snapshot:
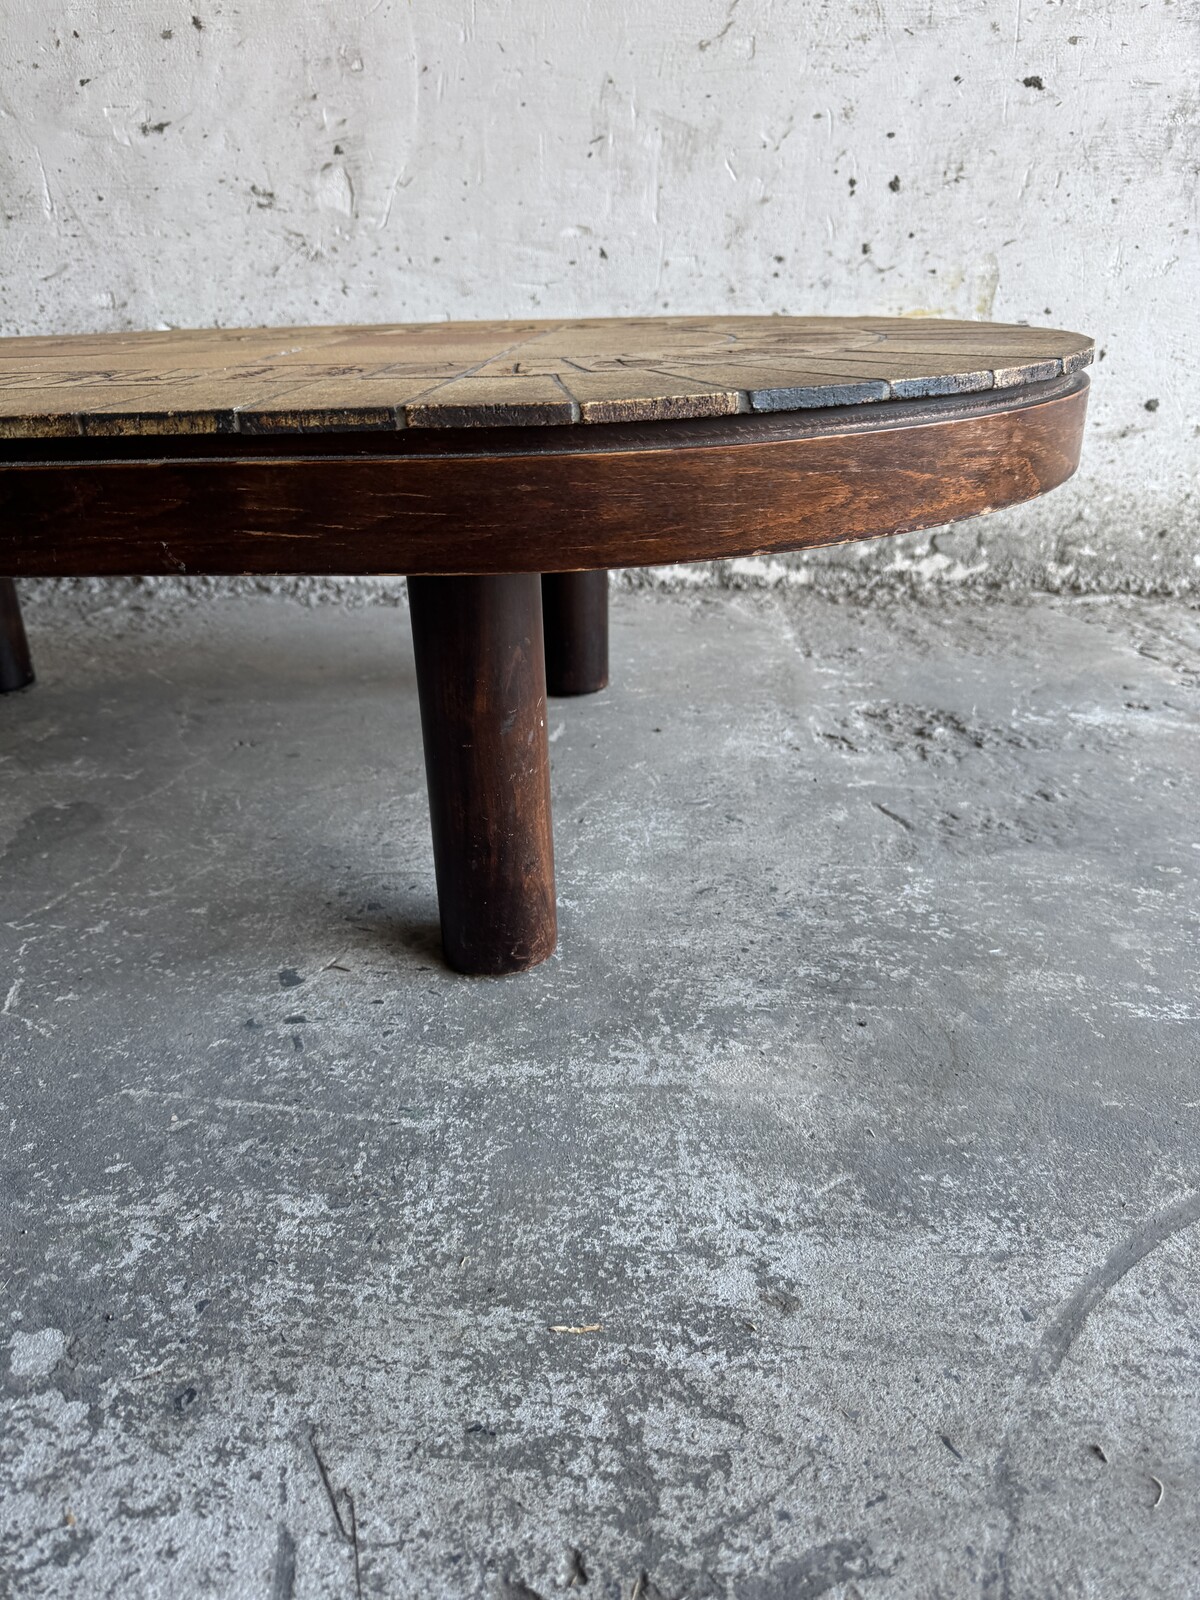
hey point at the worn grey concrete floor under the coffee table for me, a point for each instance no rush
(854, 1135)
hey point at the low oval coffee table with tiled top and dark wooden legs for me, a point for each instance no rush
(503, 468)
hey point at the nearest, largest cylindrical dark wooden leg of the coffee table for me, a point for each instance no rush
(482, 686)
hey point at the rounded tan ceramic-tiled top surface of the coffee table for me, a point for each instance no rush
(505, 374)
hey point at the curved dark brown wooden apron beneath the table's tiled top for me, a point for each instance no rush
(551, 500)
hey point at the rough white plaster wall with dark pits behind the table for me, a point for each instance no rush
(426, 159)
